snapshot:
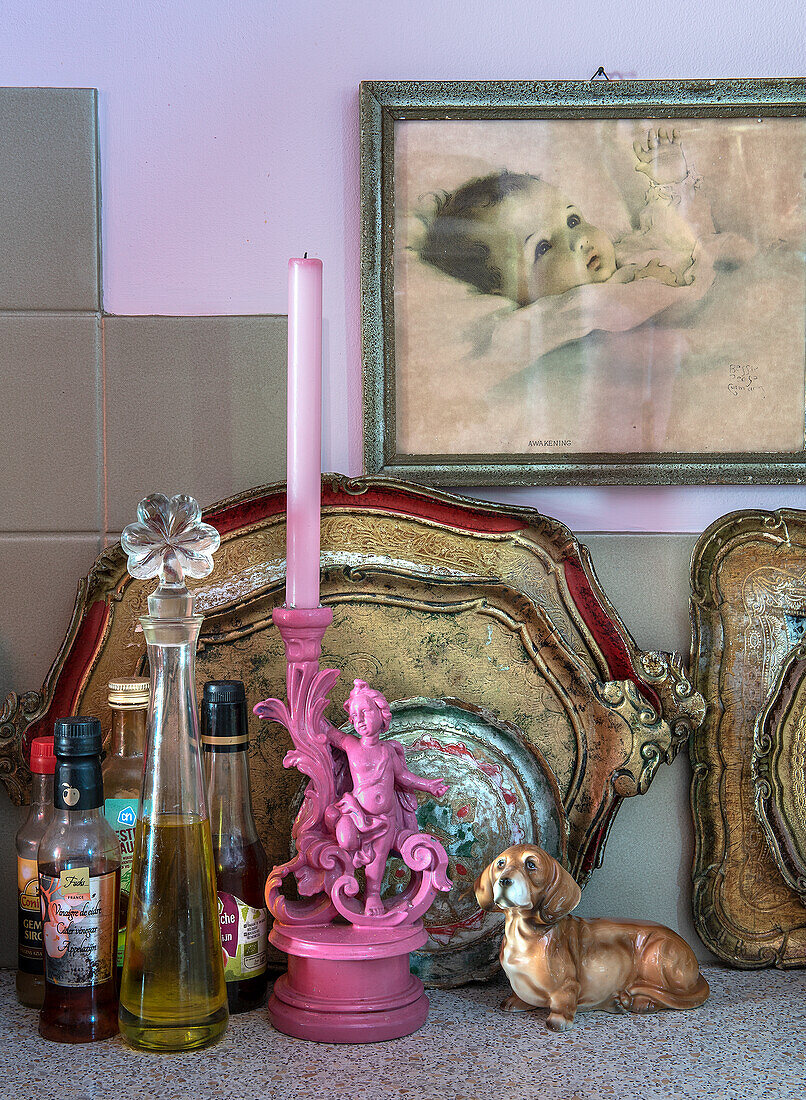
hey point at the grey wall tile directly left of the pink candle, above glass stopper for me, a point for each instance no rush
(194, 405)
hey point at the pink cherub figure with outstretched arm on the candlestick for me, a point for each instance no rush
(380, 813)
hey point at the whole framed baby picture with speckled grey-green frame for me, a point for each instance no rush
(598, 283)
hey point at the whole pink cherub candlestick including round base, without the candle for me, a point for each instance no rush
(349, 978)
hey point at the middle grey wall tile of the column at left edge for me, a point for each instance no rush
(50, 423)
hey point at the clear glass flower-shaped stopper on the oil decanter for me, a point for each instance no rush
(170, 542)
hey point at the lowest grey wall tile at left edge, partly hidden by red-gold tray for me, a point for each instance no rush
(39, 579)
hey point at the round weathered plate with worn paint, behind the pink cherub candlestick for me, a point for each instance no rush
(502, 793)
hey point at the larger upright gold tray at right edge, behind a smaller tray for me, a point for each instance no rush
(748, 612)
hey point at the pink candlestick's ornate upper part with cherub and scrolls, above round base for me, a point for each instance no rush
(360, 805)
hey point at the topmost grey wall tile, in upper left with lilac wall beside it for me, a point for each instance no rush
(49, 200)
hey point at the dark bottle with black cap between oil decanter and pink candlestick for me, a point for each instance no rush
(241, 863)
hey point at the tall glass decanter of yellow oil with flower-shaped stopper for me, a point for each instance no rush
(173, 994)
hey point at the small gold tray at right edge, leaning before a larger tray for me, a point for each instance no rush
(780, 771)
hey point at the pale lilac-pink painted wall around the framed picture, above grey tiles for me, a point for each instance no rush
(229, 142)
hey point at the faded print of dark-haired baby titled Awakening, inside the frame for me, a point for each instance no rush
(601, 288)
